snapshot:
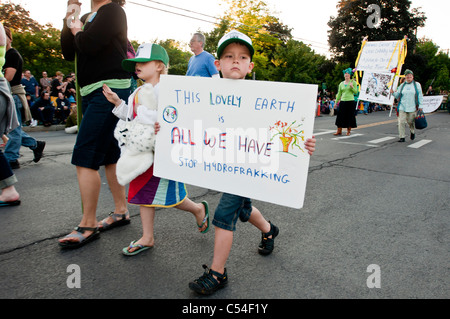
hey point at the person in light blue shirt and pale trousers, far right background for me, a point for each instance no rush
(410, 99)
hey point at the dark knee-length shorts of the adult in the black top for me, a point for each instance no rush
(96, 145)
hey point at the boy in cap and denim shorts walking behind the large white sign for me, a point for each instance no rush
(235, 54)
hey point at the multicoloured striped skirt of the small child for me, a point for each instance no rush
(152, 191)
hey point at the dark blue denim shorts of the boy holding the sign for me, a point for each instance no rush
(230, 208)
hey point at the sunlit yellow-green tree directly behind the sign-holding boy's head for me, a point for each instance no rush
(277, 56)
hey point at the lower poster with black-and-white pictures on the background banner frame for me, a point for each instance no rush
(375, 88)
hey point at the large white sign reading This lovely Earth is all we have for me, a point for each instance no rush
(236, 136)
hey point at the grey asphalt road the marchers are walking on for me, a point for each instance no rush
(375, 225)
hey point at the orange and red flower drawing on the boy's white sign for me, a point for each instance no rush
(290, 135)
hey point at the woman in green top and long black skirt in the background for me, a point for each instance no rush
(347, 104)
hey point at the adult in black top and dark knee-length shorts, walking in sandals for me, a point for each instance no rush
(99, 41)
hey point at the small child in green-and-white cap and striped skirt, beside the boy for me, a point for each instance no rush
(145, 189)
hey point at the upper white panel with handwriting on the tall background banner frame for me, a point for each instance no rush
(380, 56)
